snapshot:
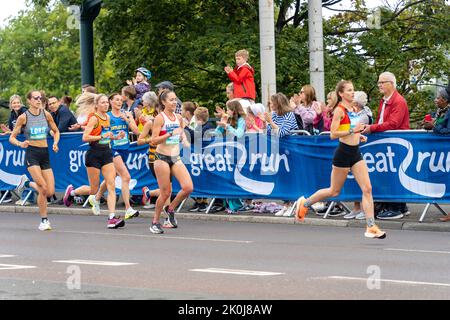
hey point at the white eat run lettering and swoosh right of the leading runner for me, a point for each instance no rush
(426, 161)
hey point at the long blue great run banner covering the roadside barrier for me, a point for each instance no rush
(403, 166)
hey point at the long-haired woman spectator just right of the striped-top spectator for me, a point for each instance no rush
(305, 106)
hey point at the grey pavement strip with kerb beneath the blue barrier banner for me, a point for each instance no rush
(431, 221)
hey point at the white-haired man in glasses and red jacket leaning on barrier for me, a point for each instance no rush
(393, 114)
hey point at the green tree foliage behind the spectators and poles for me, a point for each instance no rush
(190, 42)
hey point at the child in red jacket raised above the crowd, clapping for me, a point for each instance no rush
(242, 77)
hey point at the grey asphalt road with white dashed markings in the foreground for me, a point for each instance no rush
(81, 259)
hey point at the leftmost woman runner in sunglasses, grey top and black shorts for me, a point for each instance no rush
(36, 123)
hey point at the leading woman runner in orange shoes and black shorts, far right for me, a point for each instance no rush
(347, 128)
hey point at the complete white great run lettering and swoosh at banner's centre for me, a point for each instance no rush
(221, 157)
